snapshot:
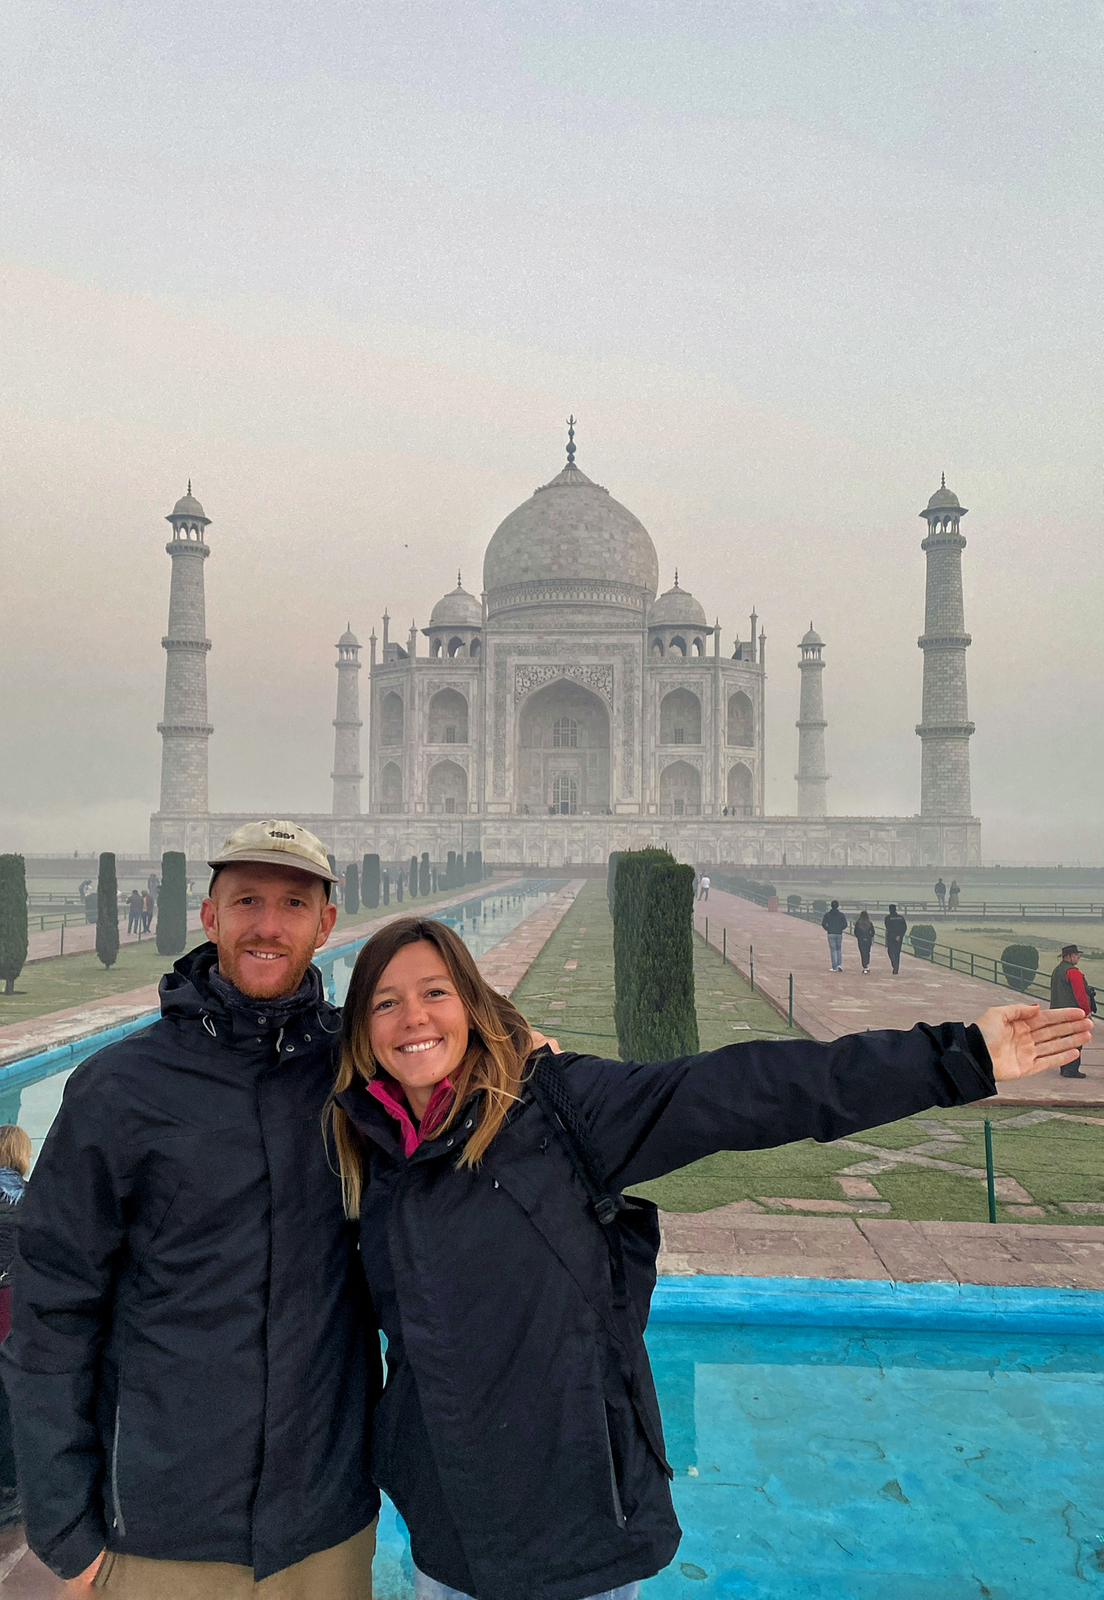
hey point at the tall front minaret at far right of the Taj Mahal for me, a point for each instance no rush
(945, 727)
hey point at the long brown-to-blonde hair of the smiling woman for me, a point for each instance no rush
(494, 1065)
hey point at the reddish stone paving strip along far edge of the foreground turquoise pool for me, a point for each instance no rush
(732, 1242)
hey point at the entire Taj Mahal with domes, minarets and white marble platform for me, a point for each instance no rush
(572, 710)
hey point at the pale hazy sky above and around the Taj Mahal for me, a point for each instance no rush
(350, 266)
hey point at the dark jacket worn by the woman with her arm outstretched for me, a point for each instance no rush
(519, 1433)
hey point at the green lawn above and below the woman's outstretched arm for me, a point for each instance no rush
(1057, 1161)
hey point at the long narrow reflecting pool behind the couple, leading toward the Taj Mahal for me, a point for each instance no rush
(31, 1090)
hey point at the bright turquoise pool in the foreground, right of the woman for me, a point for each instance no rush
(874, 1463)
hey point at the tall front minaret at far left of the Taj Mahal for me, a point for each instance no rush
(186, 730)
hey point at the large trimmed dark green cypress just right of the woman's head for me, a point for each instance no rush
(663, 1022)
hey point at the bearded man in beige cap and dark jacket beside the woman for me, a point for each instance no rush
(193, 1364)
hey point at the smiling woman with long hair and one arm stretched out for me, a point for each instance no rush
(519, 1433)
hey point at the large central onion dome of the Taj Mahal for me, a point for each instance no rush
(570, 543)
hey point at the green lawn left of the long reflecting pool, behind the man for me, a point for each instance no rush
(65, 982)
